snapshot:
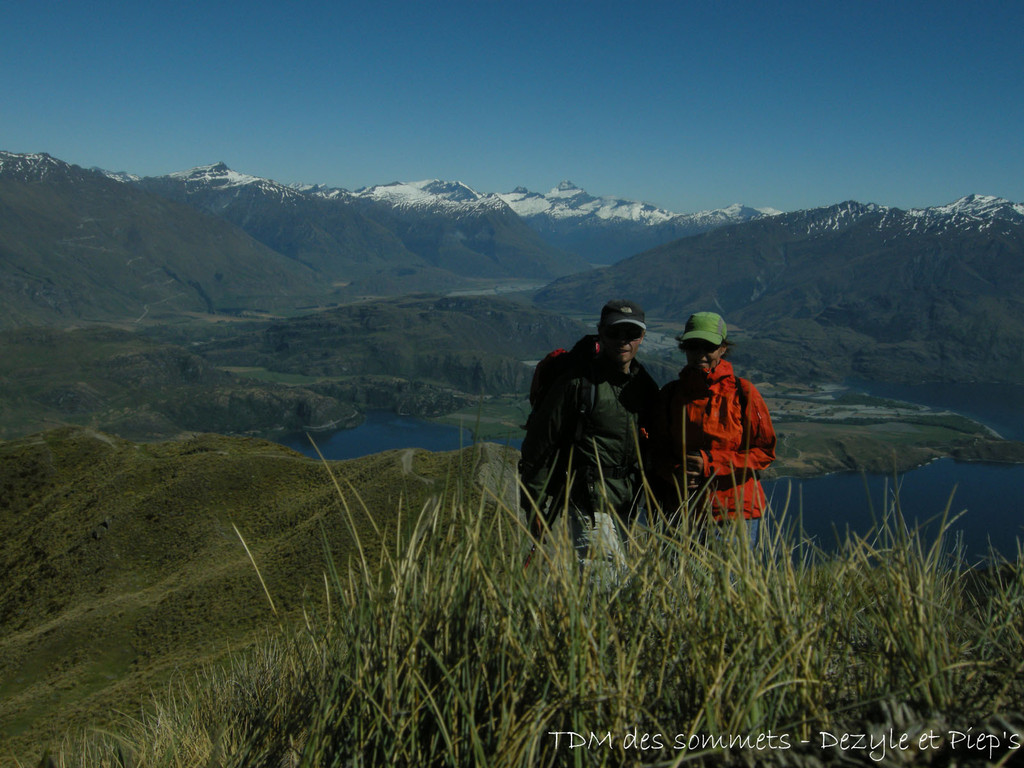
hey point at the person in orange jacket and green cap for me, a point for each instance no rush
(714, 434)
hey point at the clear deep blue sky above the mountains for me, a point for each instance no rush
(690, 106)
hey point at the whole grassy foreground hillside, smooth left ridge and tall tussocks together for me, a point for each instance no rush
(441, 649)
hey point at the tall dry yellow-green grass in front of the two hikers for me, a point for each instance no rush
(445, 651)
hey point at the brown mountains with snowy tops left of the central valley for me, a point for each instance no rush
(93, 245)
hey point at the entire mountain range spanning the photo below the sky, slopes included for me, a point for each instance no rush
(78, 245)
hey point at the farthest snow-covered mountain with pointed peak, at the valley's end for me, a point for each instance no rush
(607, 230)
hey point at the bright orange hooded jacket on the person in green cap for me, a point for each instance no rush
(709, 413)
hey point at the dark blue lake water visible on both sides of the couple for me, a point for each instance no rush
(990, 496)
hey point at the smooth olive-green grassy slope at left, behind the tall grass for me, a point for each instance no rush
(123, 569)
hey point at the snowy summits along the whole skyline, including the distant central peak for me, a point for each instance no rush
(604, 229)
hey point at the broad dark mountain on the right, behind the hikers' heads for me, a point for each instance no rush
(852, 289)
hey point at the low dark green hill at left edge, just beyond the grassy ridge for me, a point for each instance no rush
(124, 383)
